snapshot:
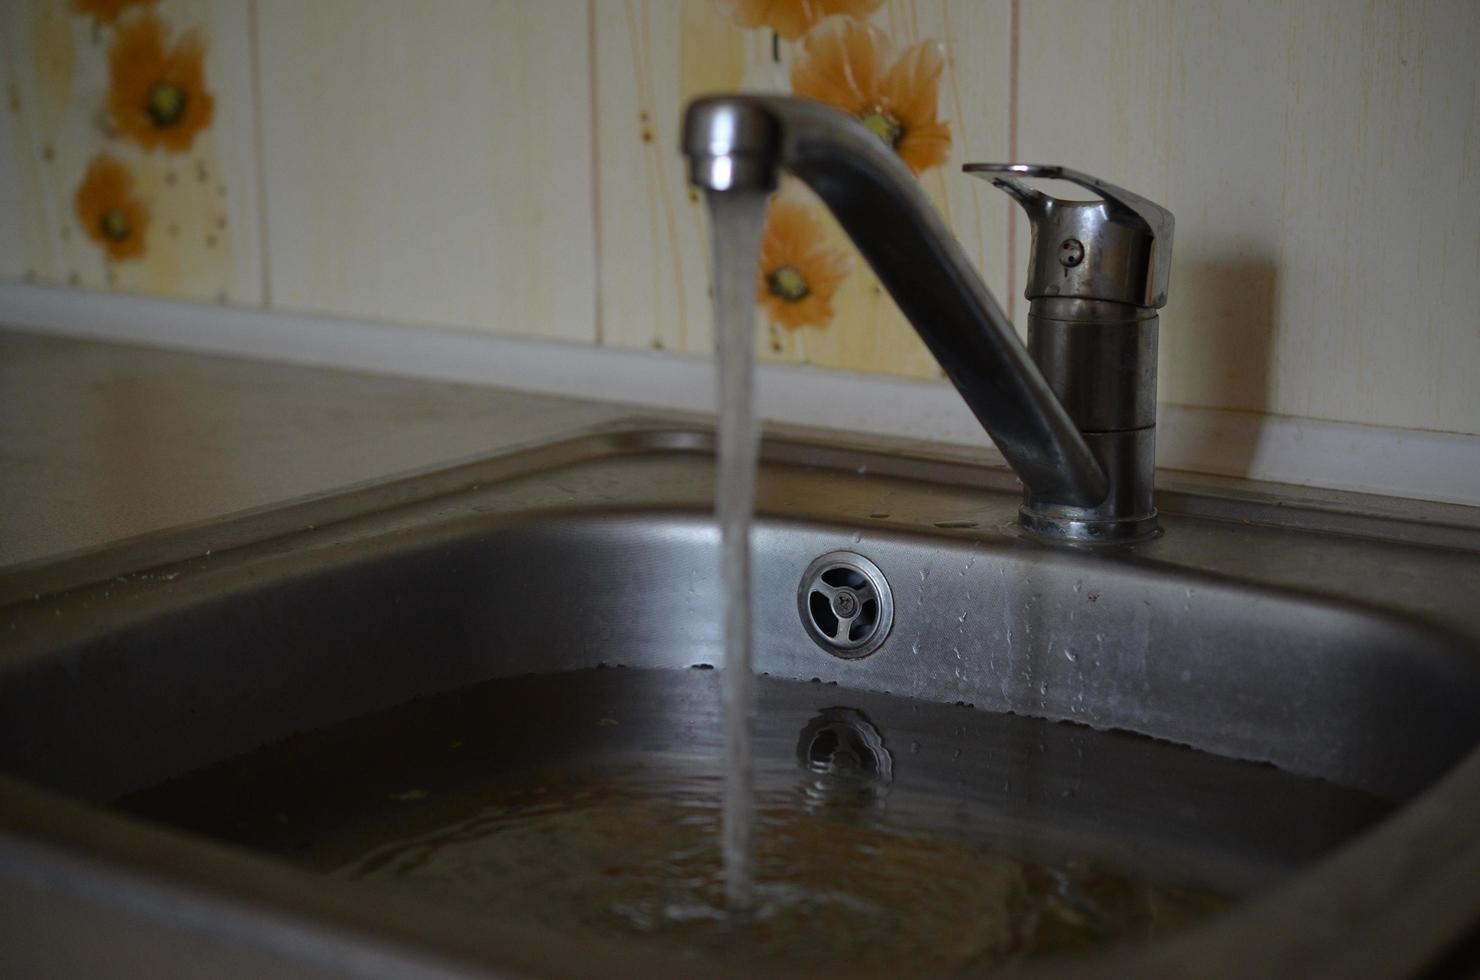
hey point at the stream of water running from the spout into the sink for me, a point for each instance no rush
(735, 223)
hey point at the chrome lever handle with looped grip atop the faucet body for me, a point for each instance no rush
(1123, 245)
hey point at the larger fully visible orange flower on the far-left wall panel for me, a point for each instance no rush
(158, 94)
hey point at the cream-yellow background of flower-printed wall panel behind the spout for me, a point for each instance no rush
(655, 57)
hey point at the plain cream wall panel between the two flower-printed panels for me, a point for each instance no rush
(431, 162)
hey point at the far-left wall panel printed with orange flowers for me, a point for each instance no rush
(78, 144)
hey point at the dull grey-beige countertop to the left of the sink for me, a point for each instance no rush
(101, 442)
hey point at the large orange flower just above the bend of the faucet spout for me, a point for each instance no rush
(846, 64)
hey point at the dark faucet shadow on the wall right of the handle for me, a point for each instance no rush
(1219, 343)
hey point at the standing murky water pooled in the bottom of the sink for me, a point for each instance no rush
(895, 836)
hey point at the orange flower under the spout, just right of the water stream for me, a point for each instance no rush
(798, 275)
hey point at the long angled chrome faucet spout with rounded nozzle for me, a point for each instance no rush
(745, 141)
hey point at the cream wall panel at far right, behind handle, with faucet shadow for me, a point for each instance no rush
(1324, 164)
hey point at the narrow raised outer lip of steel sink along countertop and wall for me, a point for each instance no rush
(1180, 494)
